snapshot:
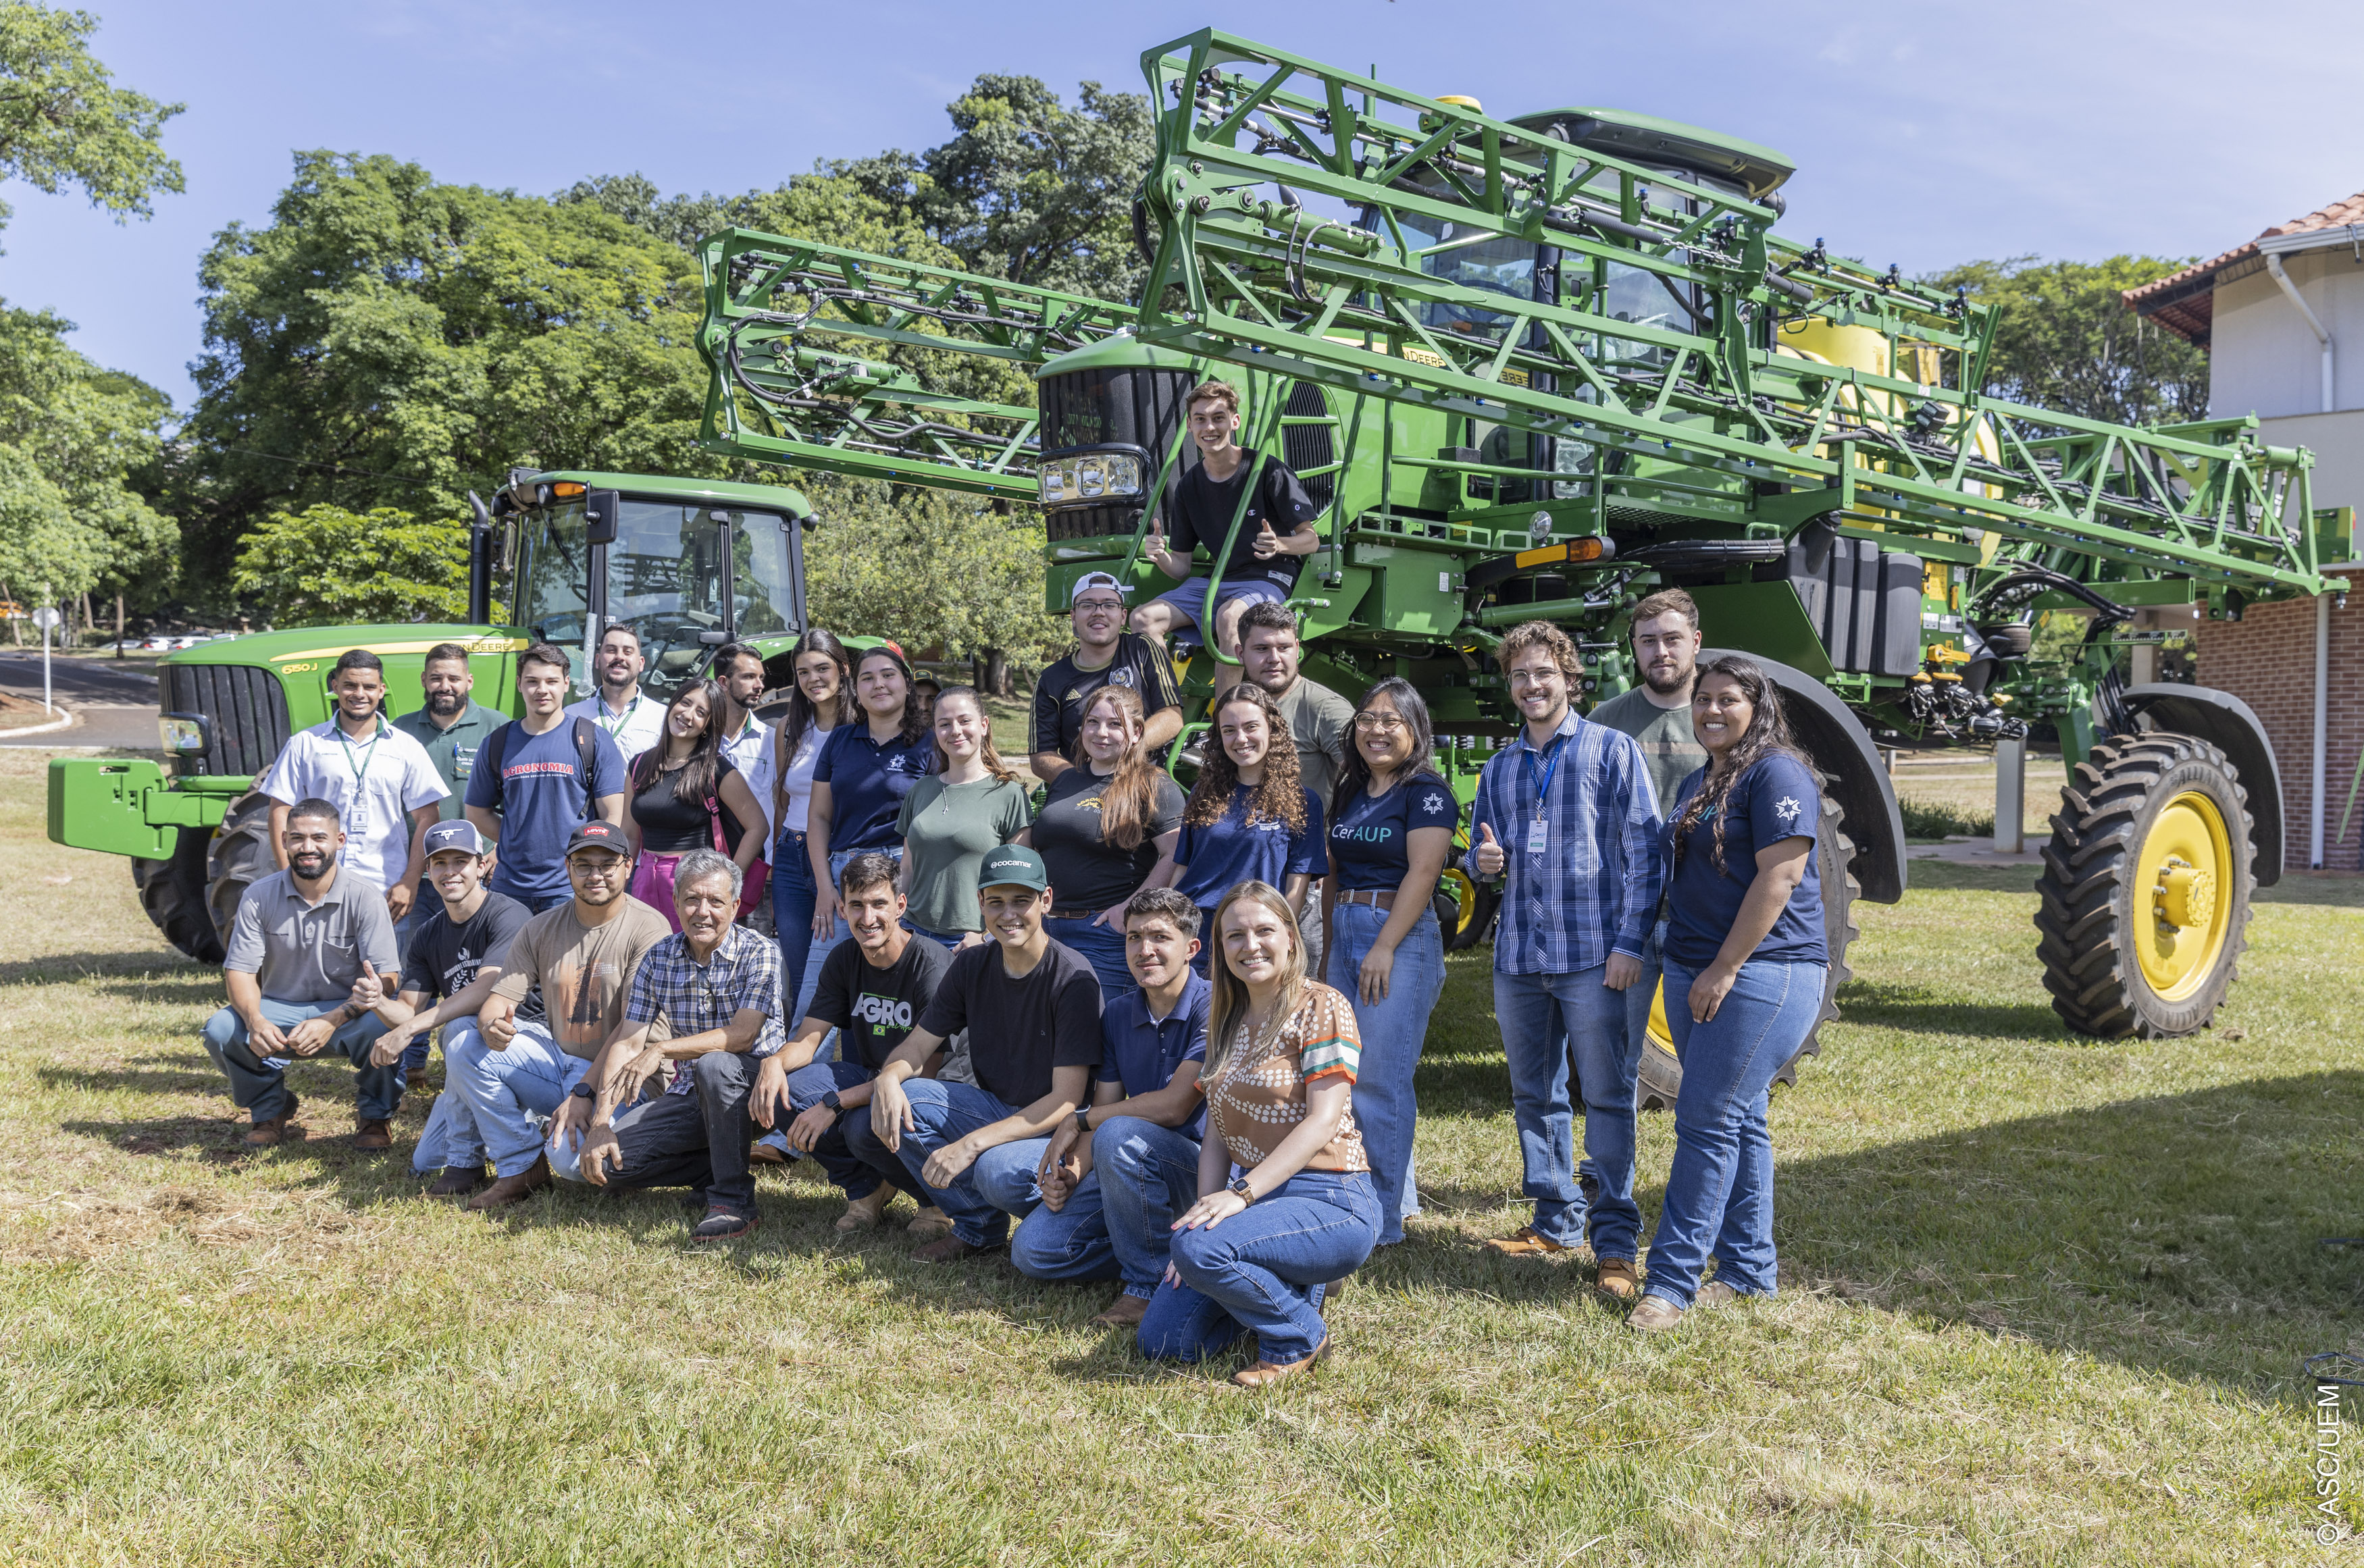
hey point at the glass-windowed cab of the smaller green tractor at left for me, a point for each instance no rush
(689, 571)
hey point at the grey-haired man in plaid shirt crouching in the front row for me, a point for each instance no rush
(717, 990)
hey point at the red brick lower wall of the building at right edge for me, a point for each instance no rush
(2268, 661)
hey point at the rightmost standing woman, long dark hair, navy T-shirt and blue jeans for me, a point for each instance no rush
(1746, 971)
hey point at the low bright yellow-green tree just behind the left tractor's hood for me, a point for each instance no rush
(330, 569)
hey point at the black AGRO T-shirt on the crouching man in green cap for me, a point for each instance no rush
(1020, 1030)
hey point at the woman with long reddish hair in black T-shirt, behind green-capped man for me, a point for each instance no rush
(1105, 827)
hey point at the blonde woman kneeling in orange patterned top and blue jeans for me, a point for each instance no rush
(1261, 1250)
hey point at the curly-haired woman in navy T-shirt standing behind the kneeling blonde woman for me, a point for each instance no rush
(1247, 819)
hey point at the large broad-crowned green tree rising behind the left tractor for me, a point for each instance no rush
(396, 342)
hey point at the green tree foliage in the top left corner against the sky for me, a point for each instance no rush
(65, 124)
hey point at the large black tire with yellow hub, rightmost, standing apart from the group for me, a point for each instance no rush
(2145, 893)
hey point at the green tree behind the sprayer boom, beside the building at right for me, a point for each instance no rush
(2067, 342)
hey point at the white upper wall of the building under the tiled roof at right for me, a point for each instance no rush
(2261, 356)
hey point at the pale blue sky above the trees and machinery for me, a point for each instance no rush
(1923, 134)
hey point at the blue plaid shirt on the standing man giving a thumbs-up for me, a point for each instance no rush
(1592, 890)
